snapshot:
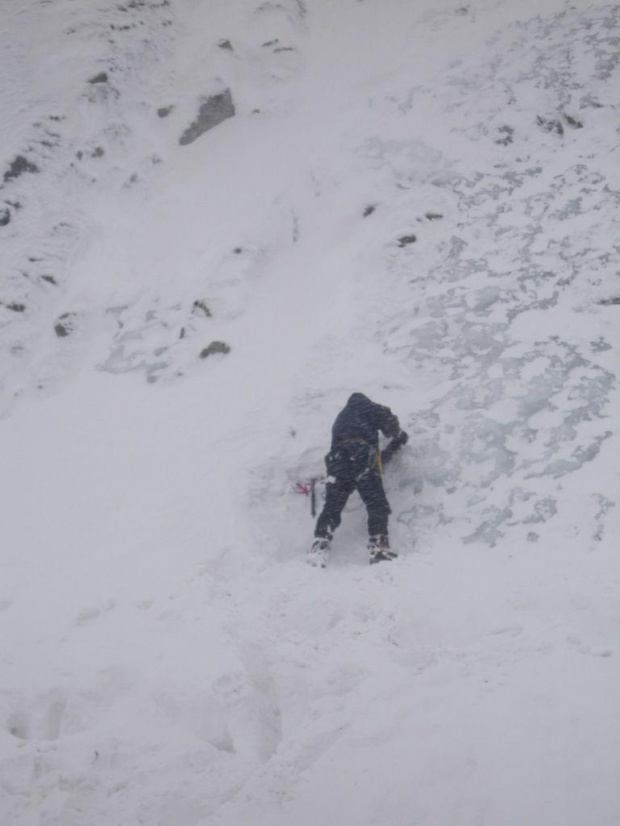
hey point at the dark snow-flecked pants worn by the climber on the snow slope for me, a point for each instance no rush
(353, 466)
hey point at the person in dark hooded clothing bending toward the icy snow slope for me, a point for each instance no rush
(354, 462)
